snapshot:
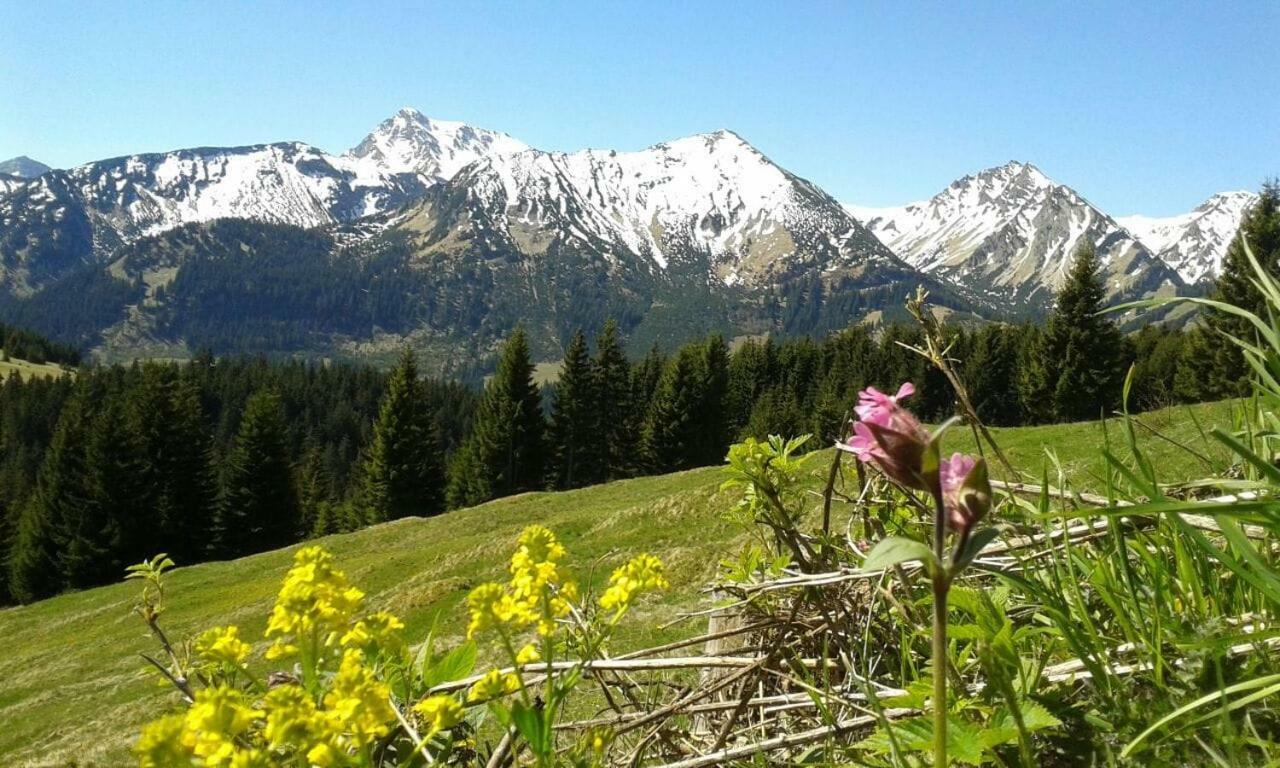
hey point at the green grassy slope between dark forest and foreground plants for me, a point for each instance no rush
(72, 687)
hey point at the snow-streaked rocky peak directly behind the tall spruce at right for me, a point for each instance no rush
(1011, 234)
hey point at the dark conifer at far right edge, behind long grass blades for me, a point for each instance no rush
(1260, 228)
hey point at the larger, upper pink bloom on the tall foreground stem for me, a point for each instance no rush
(890, 437)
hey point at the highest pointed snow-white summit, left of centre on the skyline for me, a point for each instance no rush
(412, 143)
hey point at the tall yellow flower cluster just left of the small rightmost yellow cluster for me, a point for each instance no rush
(540, 591)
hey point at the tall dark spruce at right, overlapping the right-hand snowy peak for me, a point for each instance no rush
(1080, 354)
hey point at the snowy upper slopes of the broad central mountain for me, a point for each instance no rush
(710, 198)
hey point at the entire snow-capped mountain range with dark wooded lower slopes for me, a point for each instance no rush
(446, 236)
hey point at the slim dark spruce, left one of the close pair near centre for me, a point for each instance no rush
(575, 428)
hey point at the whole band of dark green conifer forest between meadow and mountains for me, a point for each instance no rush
(223, 458)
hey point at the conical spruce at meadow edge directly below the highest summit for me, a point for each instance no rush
(404, 473)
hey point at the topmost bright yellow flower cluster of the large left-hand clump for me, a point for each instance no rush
(314, 600)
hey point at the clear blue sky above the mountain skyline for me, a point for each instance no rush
(1142, 108)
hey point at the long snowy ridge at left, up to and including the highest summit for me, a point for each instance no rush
(125, 199)
